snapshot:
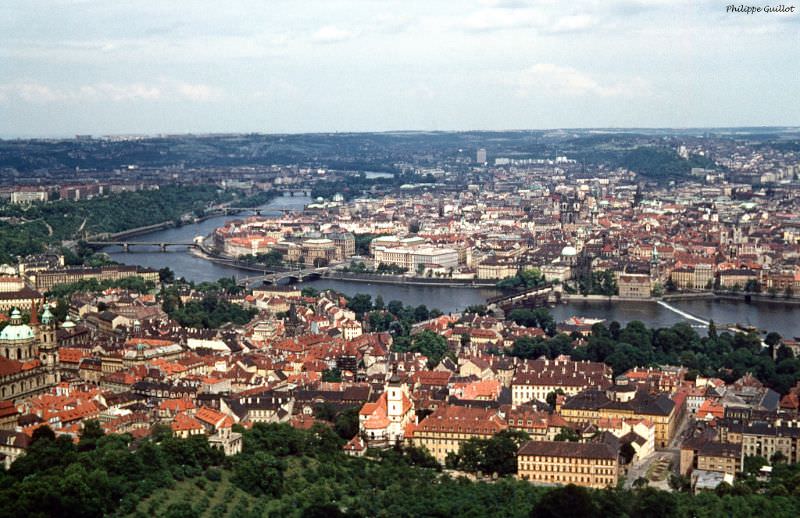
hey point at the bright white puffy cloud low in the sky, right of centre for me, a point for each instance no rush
(566, 81)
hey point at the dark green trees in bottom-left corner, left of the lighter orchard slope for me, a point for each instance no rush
(56, 478)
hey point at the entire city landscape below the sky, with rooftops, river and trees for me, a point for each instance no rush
(129, 389)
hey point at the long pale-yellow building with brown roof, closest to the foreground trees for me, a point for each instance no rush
(592, 465)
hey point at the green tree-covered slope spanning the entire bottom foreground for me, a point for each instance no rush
(287, 472)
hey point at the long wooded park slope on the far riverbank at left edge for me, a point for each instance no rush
(30, 229)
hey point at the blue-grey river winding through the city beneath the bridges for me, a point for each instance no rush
(773, 316)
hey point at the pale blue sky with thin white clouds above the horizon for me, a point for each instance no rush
(104, 67)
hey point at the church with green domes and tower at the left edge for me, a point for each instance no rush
(28, 356)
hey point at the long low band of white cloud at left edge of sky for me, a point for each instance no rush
(35, 92)
